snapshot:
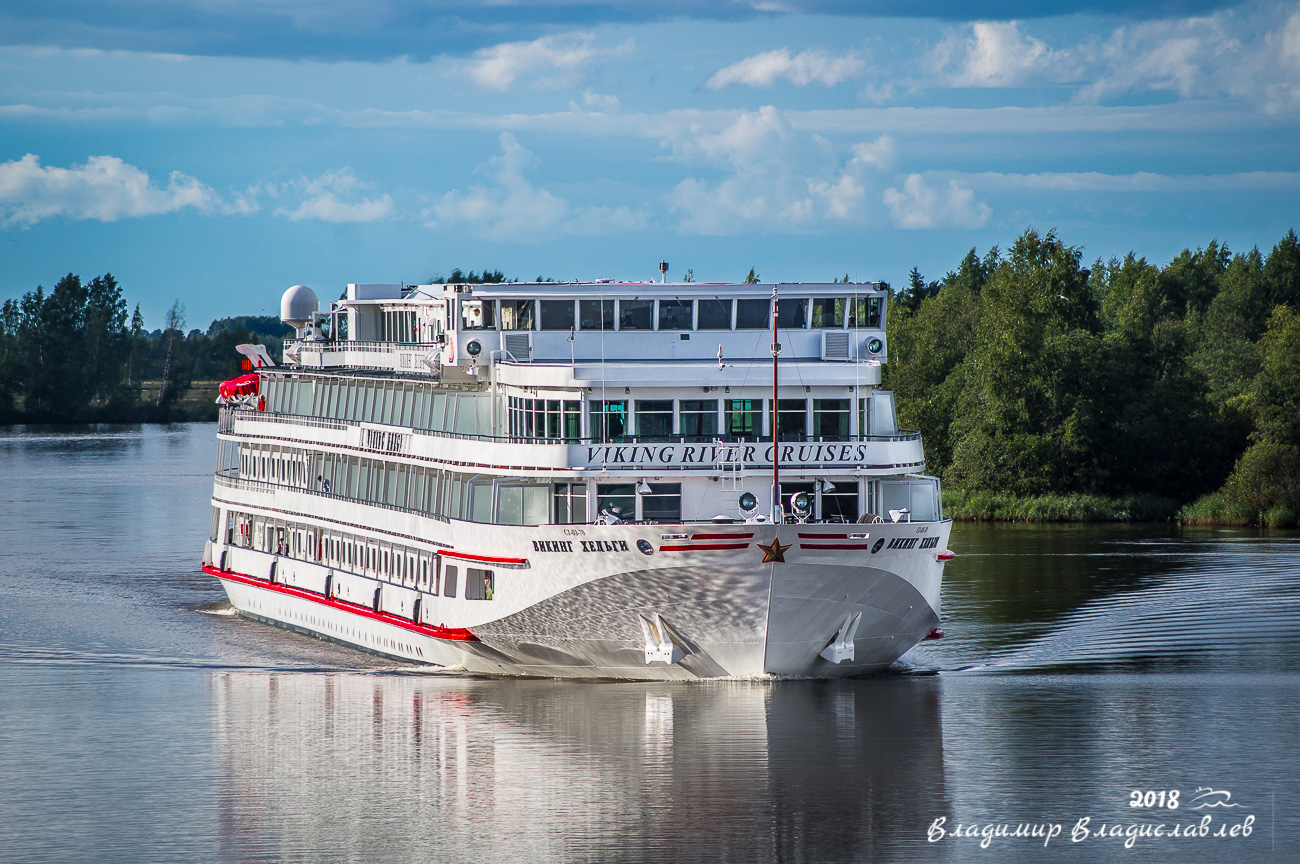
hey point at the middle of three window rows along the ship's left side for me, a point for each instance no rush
(474, 498)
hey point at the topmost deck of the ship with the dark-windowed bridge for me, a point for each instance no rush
(432, 329)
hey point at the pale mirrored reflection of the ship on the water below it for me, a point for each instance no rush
(371, 769)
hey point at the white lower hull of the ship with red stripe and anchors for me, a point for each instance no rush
(687, 610)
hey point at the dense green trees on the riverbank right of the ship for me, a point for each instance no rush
(1030, 375)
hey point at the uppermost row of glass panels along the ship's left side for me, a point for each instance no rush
(378, 401)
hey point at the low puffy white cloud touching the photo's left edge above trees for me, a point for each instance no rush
(105, 189)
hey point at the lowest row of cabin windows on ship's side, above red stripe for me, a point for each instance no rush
(382, 561)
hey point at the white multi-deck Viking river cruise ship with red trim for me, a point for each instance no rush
(619, 480)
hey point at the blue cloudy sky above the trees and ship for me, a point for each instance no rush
(218, 153)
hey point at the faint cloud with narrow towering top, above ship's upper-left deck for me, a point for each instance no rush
(513, 209)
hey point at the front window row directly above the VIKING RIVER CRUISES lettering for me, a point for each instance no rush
(701, 420)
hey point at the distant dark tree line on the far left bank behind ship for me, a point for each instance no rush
(79, 355)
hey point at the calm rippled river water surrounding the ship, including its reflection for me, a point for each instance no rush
(142, 722)
